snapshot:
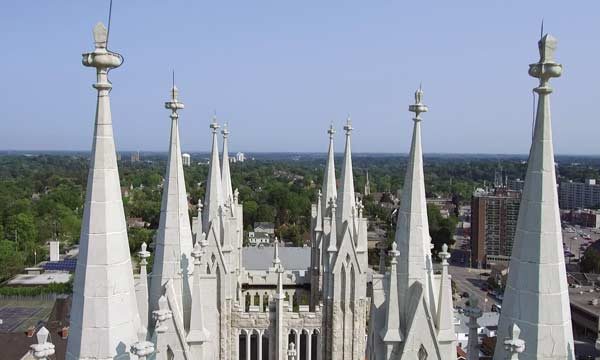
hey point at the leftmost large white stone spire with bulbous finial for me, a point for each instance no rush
(104, 314)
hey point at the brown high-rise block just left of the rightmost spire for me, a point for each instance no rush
(494, 215)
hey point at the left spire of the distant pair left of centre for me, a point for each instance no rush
(213, 198)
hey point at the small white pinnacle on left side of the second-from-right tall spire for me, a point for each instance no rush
(392, 333)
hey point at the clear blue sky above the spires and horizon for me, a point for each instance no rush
(280, 71)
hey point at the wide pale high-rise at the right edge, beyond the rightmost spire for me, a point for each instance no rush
(576, 195)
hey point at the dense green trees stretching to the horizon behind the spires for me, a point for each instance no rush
(42, 196)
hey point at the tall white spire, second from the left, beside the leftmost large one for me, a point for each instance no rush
(173, 262)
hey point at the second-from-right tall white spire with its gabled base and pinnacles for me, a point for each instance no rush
(411, 310)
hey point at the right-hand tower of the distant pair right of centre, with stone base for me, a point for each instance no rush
(344, 294)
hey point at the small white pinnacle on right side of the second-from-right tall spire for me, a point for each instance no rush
(445, 311)
